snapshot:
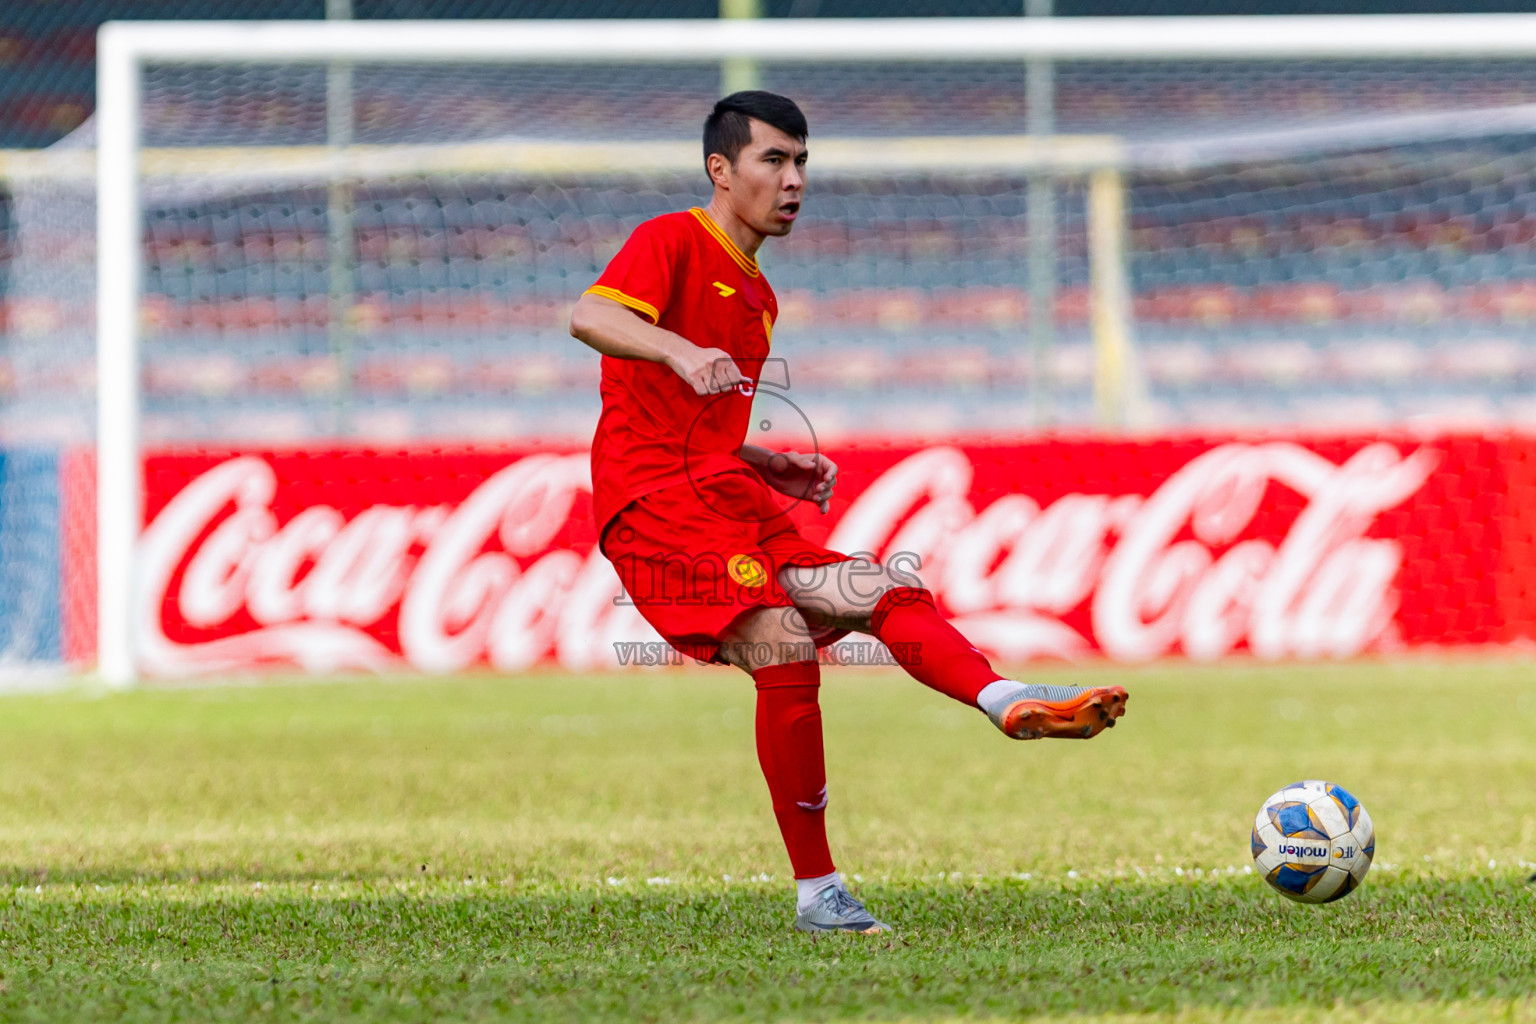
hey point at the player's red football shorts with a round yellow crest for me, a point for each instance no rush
(700, 555)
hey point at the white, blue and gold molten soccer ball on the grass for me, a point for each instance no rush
(1314, 842)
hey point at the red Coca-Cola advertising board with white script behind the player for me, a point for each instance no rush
(445, 560)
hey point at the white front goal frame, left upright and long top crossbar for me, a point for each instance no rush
(125, 50)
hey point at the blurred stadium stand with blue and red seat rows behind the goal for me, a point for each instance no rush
(1300, 292)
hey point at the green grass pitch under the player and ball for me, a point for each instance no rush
(572, 848)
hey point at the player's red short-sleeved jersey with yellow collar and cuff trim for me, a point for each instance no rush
(684, 274)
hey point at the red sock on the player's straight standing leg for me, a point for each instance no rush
(790, 751)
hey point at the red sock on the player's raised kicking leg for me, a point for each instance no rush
(930, 649)
